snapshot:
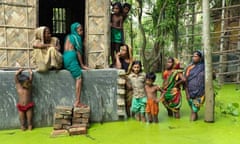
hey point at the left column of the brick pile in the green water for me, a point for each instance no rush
(62, 120)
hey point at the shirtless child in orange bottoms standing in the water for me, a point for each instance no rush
(152, 107)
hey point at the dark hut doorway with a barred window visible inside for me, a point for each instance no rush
(58, 15)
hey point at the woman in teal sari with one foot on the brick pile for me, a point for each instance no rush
(72, 58)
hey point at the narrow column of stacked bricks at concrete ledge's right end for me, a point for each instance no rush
(121, 92)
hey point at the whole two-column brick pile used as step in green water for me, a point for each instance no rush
(70, 121)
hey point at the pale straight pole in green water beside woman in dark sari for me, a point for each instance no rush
(209, 111)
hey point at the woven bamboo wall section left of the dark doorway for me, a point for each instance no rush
(17, 24)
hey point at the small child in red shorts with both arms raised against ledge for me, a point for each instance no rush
(25, 104)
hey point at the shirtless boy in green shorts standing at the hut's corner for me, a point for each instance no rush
(116, 29)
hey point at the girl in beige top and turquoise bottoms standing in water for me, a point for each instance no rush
(136, 81)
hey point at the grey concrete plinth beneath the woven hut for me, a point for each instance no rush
(58, 88)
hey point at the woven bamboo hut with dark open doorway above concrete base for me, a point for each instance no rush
(19, 18)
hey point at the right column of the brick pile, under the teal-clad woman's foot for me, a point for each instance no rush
(80, 121)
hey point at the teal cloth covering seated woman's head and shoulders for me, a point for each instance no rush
(74, 38)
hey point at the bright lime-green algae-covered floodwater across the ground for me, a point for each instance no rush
(224, 130)
